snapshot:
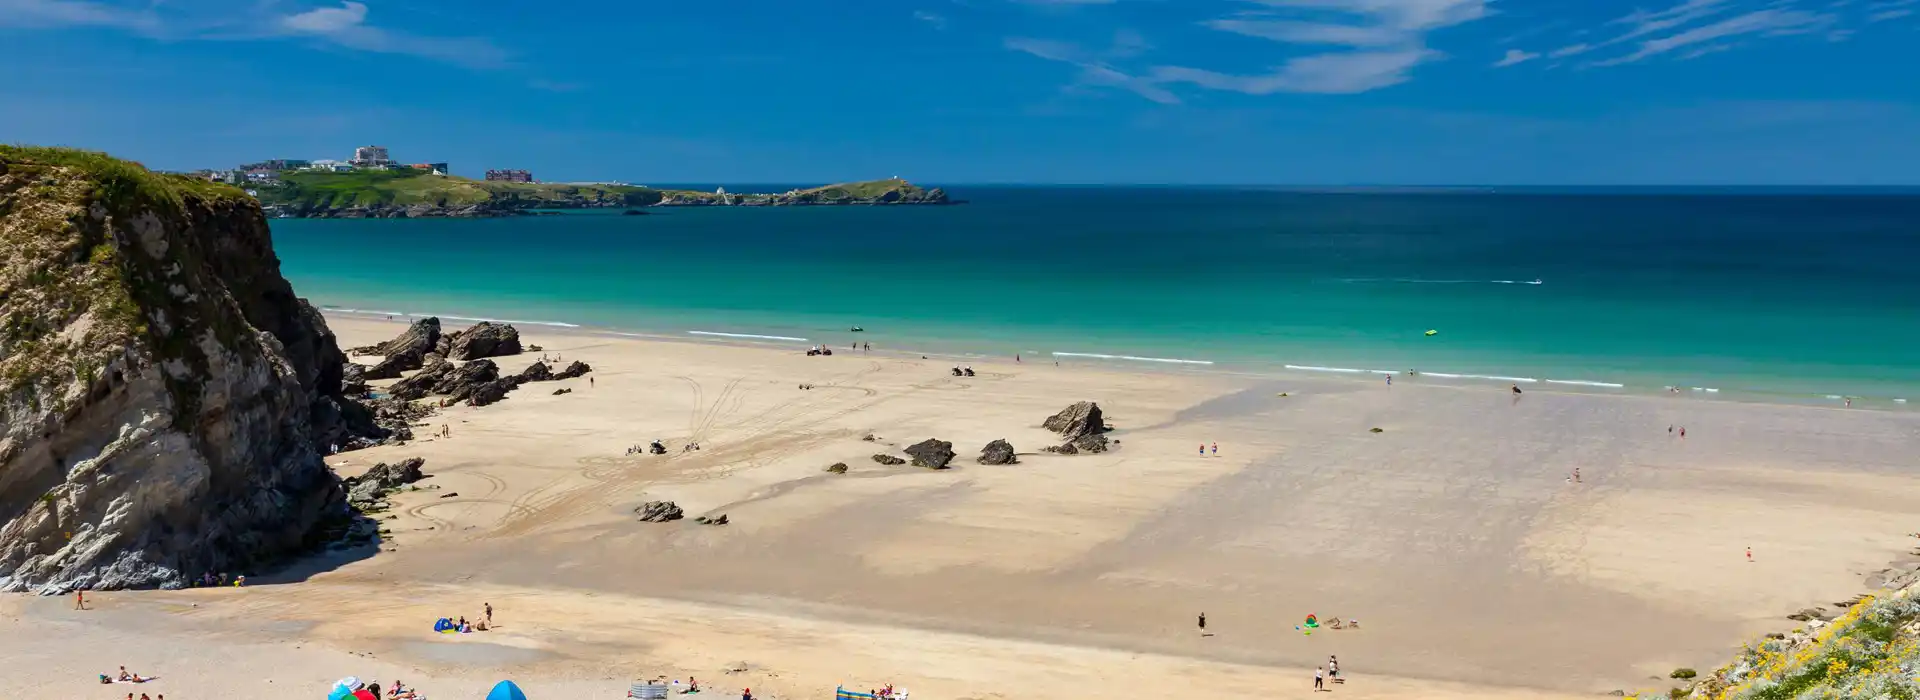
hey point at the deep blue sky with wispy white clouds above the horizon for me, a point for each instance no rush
(992, 91)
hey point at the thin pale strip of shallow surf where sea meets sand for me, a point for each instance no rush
(1143, 363)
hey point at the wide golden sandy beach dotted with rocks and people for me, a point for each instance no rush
(1452, 536)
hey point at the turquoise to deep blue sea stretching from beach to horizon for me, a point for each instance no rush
(1787, 294)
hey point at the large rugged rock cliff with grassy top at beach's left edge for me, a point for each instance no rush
(164, 396)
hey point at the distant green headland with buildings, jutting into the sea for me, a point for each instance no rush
(414, 195)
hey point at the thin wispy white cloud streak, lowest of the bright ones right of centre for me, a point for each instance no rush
(1328, 74)
